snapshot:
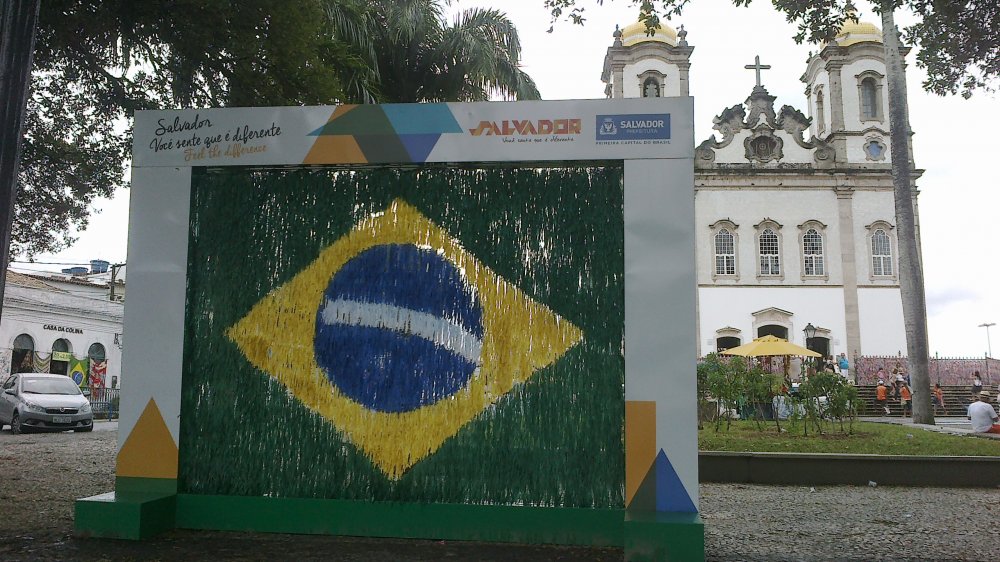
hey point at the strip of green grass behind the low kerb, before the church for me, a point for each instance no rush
(868, 438)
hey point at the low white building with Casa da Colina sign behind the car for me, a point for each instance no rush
(46, 328)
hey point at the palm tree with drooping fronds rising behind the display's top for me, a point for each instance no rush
(419, 57)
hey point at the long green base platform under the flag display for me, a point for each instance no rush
(644, 536)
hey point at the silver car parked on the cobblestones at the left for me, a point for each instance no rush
(36, 401)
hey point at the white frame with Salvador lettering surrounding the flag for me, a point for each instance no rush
(660, 285)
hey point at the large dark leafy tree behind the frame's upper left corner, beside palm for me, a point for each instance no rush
(97, 61)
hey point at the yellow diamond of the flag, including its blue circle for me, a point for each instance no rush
(399, 337)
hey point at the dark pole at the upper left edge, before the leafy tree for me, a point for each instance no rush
(17, 43)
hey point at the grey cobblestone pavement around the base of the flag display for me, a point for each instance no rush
(41, 475)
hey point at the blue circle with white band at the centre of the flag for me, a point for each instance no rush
(398, 328)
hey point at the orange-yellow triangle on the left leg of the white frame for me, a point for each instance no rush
(149, 451)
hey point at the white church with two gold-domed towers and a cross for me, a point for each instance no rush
(795, 216)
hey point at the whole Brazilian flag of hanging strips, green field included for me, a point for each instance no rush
(449, 335)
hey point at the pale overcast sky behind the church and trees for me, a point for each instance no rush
(958, 201)
